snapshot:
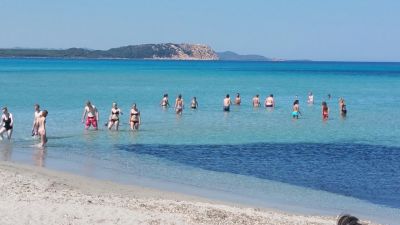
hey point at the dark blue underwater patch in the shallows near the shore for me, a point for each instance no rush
(367, 172)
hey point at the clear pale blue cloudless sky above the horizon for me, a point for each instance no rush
(336, 30)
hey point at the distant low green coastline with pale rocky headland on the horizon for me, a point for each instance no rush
(167, 51)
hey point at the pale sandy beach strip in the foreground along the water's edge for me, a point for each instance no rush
(32, 195)
